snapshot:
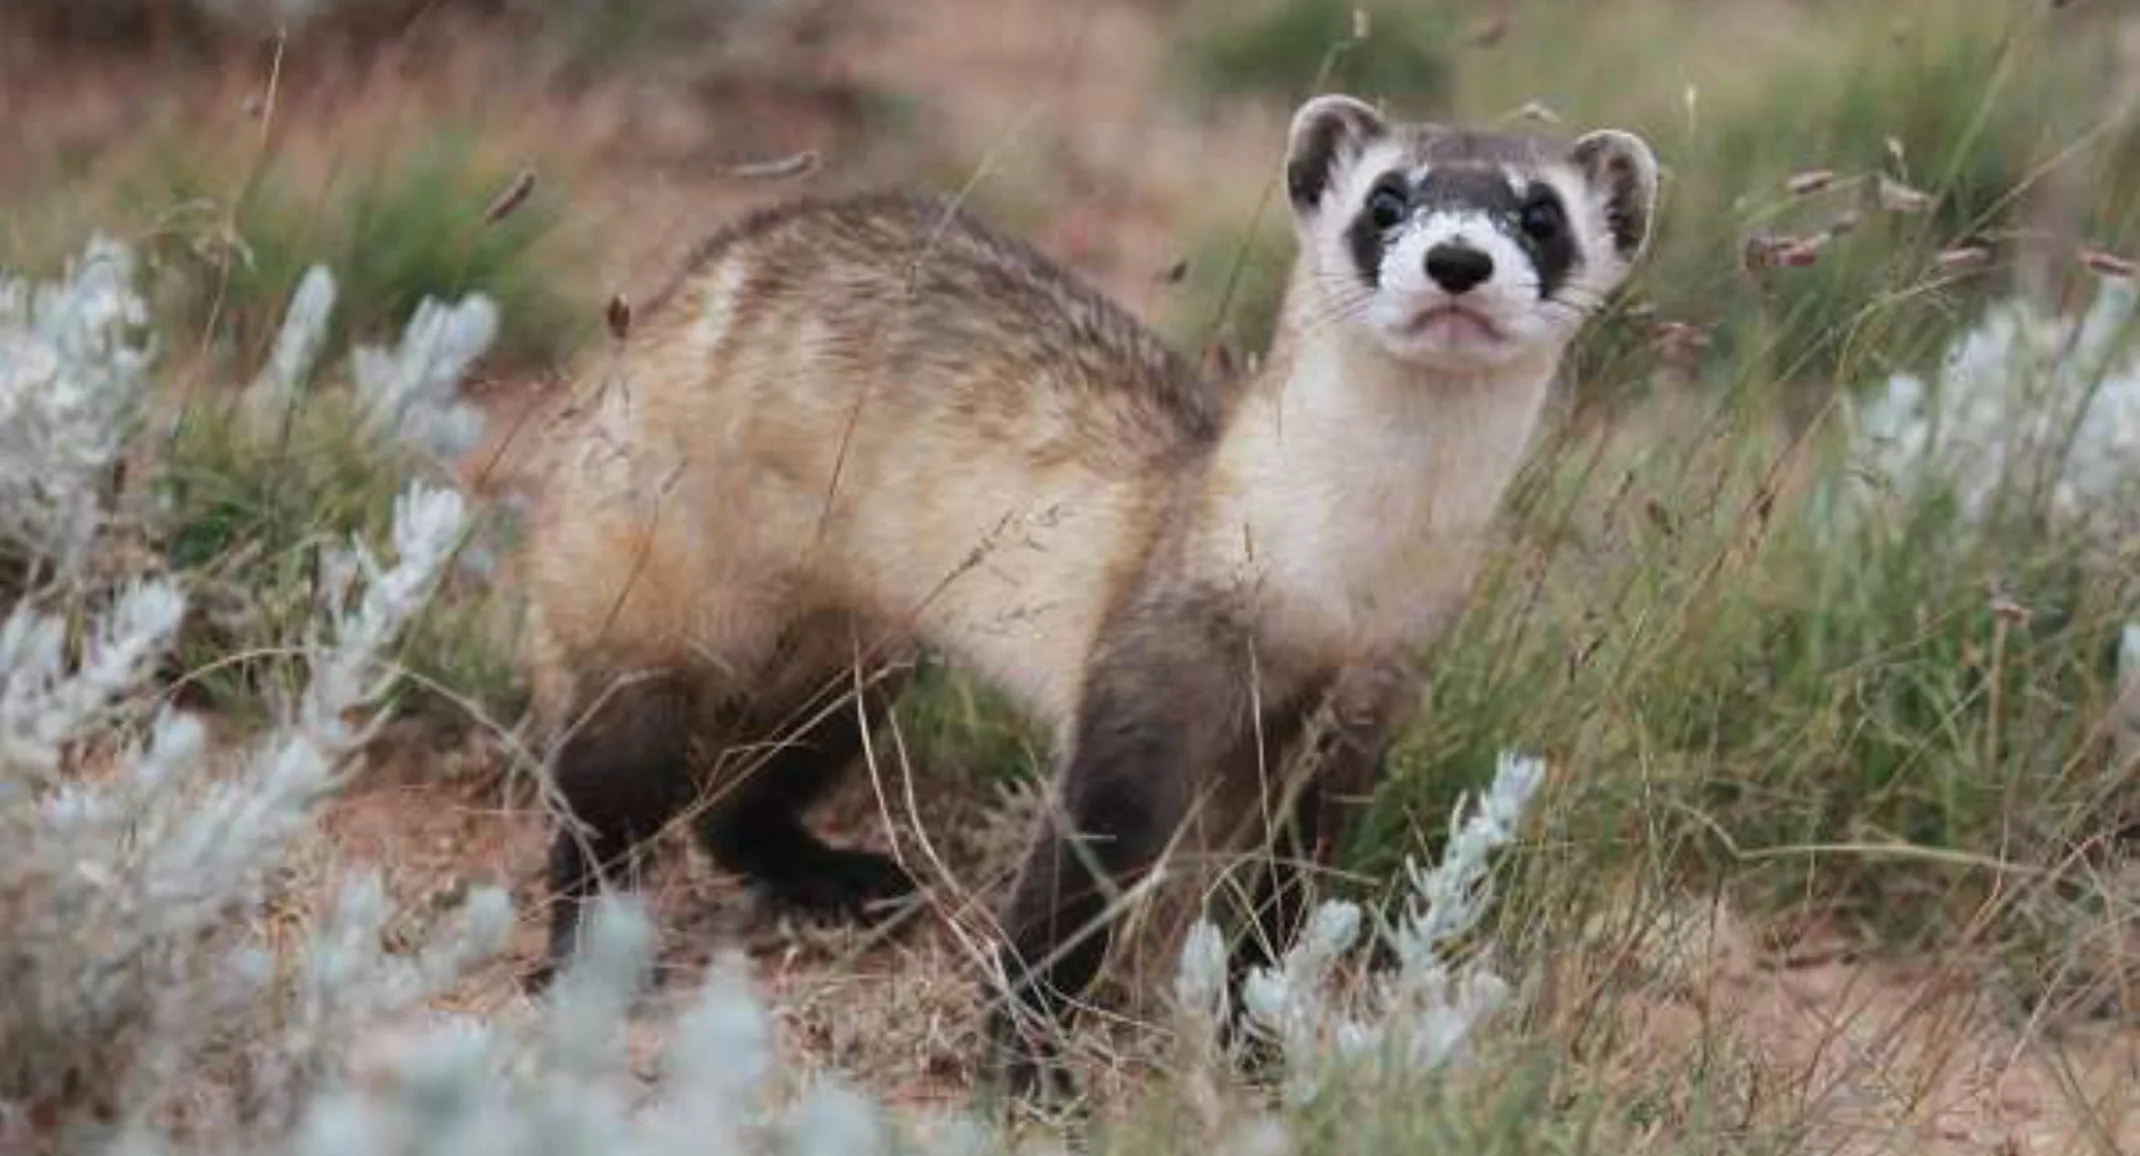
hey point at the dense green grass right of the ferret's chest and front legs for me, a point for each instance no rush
(1897, 722)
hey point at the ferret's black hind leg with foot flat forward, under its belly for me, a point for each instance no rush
(754, 821)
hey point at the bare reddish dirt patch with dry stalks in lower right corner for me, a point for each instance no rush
(1884, 1054)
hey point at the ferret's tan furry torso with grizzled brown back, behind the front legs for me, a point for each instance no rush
(718, 487)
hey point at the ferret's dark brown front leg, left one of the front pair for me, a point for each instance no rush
(1163, 697)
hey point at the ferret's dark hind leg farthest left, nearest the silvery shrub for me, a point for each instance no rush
(624, 776)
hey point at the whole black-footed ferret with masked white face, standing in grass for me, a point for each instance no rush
(870, 427)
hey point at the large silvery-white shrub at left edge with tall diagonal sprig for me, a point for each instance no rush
(138, 855)
